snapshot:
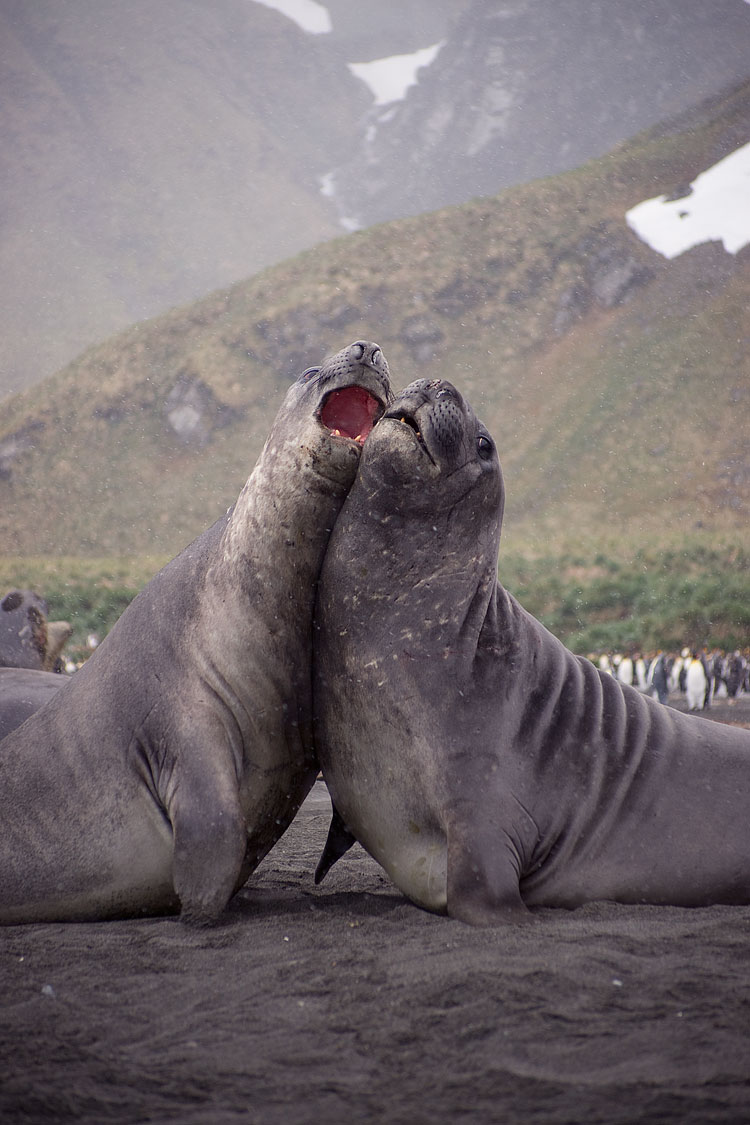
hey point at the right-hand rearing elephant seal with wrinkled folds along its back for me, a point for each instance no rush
(486, 768)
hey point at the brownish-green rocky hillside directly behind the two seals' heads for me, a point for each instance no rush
(617, 382)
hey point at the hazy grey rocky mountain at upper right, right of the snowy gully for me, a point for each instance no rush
(529, 88)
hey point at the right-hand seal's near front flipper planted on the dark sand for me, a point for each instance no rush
(483, 876)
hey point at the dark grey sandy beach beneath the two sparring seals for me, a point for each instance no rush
(347, 1004)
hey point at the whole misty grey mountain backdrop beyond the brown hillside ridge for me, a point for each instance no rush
(156, 152)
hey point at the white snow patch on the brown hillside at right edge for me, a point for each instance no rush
(715, 209)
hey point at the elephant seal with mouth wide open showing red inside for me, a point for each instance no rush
(166, 770)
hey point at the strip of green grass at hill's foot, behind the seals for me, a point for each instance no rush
(671, 596)
